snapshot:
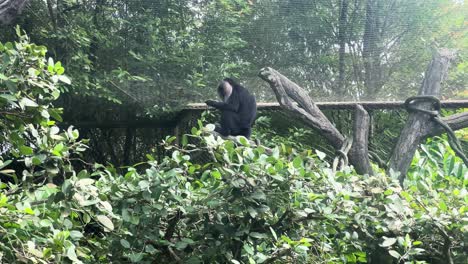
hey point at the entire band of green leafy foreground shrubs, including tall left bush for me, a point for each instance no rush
(243, 205)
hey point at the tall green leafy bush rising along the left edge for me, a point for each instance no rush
(41, 220)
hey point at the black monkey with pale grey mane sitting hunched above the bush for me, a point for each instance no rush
(238, 109)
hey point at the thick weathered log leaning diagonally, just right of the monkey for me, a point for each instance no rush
(285, 90)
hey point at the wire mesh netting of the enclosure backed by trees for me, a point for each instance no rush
(135, 64)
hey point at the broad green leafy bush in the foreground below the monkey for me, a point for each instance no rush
(248, 206)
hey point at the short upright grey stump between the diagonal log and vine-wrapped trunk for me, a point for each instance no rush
(359, 155)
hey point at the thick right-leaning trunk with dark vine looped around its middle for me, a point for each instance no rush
(418, 124)
